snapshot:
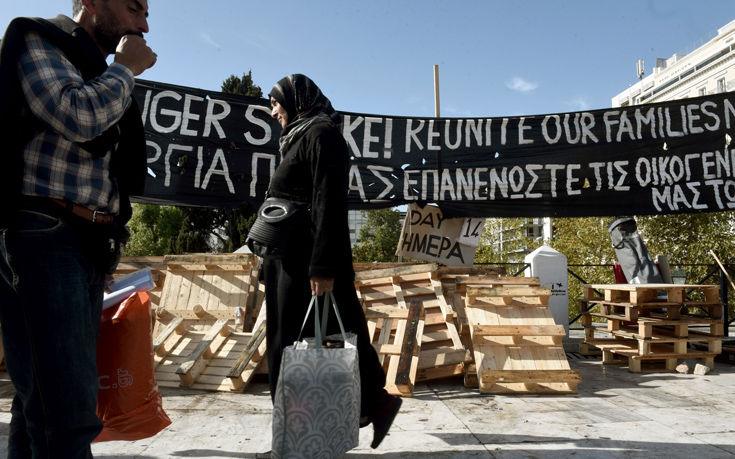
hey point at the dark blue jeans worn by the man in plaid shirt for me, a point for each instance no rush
(51, 288)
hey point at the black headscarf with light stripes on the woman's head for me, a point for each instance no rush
(304, 103)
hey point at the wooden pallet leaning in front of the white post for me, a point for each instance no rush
(517, 345)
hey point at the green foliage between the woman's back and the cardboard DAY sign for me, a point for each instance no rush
(379, 237)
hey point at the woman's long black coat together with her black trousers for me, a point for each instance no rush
(314, 170)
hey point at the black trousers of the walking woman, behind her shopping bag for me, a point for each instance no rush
(287, 296)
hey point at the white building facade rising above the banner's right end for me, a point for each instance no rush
(709, 69)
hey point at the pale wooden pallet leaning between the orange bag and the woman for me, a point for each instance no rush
(210, 333)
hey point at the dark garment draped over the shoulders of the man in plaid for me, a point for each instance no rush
(18, 125)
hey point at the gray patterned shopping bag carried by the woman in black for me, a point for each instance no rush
(316, 411)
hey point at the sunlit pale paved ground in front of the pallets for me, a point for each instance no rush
(616, 414)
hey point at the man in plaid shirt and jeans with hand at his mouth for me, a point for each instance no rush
(78, 135)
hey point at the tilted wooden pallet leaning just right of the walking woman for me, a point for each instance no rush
(442, 353)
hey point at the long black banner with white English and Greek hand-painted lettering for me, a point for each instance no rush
(211, 149)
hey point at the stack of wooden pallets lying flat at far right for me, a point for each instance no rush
(654, 323)
